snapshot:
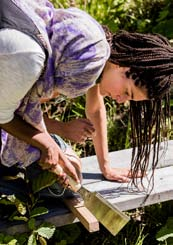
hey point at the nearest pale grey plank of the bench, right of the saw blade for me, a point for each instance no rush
(162, 191)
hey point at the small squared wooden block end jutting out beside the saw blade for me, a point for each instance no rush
(76, 205)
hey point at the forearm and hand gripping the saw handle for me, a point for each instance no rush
(51, 154)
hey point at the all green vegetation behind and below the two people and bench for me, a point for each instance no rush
(150, 225)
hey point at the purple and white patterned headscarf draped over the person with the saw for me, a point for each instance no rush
(77, 50)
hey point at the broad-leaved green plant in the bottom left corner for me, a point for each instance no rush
(27, 212)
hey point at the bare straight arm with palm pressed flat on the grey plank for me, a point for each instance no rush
(96, 112)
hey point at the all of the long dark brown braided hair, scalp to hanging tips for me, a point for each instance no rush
(150, 59)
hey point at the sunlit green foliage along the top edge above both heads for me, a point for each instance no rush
(132, 15)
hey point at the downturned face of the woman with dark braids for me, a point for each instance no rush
(116, 85)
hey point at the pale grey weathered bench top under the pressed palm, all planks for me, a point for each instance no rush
(124, 196)
